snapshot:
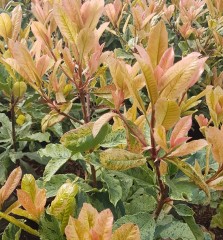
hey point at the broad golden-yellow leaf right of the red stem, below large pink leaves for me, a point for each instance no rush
(167, 113)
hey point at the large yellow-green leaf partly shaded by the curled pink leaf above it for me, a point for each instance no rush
(81, 139)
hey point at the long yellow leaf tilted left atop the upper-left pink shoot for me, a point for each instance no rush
(66, 26)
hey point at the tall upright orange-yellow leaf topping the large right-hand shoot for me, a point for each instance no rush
(157, 43)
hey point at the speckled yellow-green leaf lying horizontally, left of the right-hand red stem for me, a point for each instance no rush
(119, 159)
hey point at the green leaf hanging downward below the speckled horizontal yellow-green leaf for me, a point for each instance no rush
(114, 188)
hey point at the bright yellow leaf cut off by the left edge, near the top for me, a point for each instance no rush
(5, 26)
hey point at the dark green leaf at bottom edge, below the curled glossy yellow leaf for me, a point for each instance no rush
(49, 228)
